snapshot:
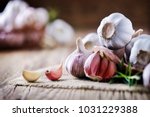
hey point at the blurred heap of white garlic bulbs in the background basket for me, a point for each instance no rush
(18, 15)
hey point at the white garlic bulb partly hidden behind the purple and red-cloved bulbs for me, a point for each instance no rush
(91, 40)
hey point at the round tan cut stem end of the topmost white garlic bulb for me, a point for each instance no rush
(108, 30)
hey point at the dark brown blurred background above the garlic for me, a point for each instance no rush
(88, 13)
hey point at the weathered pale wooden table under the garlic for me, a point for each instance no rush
(13, 86)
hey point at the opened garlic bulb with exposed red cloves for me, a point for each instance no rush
(99, 66)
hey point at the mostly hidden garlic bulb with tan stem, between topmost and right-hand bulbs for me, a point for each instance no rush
(129, 46)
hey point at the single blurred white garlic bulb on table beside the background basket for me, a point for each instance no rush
(61, 32)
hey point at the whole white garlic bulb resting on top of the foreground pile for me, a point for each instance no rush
(115, 31)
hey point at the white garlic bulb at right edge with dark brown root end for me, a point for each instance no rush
(140, 52)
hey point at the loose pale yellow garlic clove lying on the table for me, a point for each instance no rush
(31, 76)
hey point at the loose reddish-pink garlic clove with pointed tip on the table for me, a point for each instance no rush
(54, 74)
